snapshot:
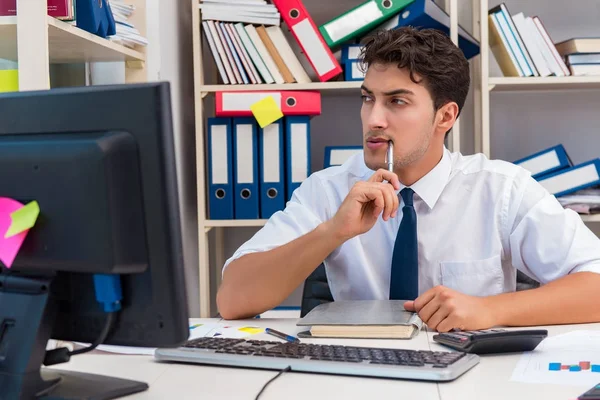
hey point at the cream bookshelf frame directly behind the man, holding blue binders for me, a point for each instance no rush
(203, 92)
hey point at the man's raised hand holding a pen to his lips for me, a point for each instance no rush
(365, 202)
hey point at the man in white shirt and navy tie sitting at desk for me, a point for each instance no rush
(448, 229)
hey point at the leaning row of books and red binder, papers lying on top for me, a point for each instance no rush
(249, 45)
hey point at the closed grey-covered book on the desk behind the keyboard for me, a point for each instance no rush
(372, 319)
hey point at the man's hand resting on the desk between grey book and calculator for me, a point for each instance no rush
(444, 309)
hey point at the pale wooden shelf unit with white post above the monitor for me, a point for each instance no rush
(36, 40)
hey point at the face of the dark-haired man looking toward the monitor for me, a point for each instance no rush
(397, 109)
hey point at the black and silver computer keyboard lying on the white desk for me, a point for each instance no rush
(322, 358)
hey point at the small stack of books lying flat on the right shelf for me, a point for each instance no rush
(582, 55)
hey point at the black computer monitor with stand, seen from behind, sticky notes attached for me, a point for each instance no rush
(100, 162)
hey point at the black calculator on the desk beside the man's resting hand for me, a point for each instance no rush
(492, 340)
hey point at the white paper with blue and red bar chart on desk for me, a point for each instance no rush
(569, 359)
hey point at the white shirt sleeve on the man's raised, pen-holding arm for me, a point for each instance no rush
(307, 209)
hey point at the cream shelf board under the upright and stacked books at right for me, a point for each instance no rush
(498, 84)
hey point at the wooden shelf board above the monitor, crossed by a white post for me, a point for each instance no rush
(67, 44)
